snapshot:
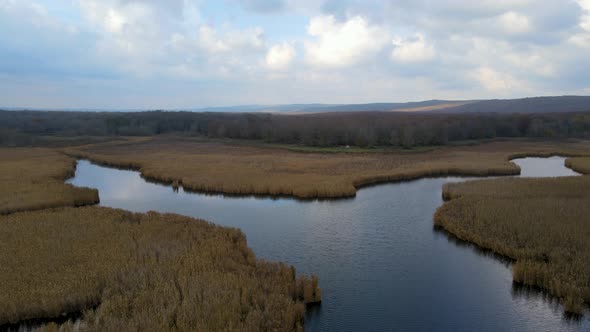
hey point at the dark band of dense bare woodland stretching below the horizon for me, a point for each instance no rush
(365, 129)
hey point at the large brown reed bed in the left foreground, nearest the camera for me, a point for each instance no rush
(149, 272)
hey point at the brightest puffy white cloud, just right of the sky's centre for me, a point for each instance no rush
(341, 44)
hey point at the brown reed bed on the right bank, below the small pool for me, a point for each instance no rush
(543, 224)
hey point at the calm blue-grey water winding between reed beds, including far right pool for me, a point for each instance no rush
(382, 265)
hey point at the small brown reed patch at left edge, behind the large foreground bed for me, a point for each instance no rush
(33, 179)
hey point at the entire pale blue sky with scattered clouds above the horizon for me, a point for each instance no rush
(179, 54)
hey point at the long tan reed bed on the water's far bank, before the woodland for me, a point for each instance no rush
(216, 167)
